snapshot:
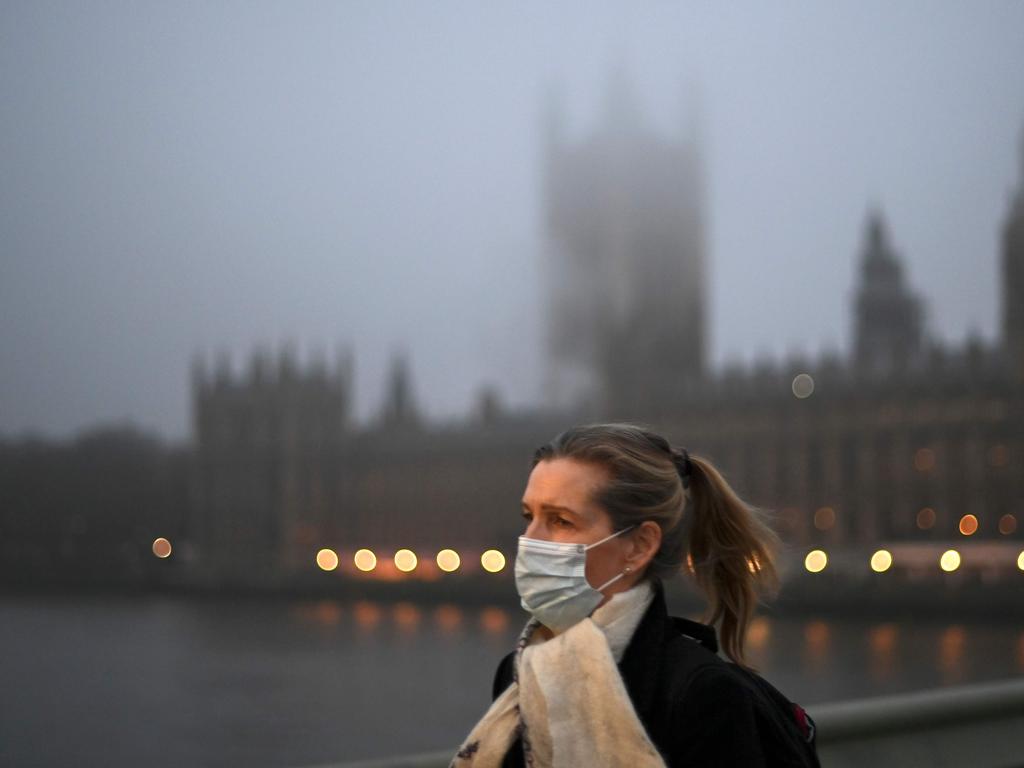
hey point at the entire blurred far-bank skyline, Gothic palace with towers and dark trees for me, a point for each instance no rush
(906, 445)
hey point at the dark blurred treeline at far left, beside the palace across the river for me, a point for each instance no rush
(88, 513)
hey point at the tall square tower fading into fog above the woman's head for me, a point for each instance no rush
(625, 274)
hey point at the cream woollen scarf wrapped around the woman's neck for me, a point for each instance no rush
(569, 702)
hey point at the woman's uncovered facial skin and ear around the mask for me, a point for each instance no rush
(559, 506)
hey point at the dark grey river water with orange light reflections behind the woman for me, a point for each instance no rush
(176, 681)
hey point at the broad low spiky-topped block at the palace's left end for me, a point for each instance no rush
(270, 462)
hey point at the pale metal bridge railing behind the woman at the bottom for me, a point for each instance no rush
(979, 726)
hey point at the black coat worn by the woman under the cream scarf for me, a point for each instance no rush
(698, 709)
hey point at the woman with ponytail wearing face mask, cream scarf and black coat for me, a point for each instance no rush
(602, 675)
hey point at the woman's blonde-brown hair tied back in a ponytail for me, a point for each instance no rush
(708, 532)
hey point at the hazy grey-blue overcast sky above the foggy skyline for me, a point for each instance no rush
(188, 177)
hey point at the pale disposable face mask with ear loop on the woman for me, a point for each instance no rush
(552, 583)
